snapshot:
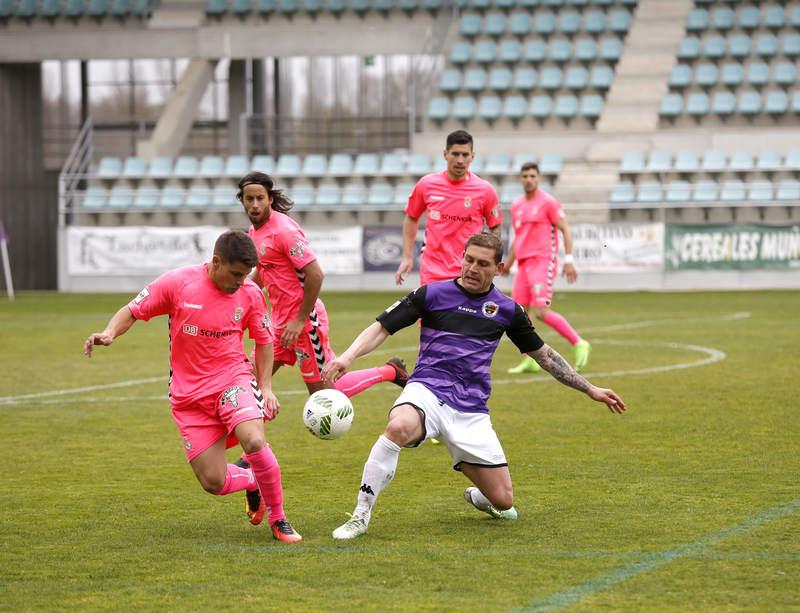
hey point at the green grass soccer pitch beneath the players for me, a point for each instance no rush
(690, 501)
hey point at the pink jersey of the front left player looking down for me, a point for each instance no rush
(206, 328)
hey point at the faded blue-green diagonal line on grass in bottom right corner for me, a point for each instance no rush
(609, 579)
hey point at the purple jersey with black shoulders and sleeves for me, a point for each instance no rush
(459, 335)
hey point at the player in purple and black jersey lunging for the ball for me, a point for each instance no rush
(446, 396)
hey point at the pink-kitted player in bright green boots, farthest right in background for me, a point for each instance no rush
(537, 217)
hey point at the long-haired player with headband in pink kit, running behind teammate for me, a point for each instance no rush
(288, 269)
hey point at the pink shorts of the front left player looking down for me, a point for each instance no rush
(203, 422)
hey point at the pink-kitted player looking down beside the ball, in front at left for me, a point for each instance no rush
(216, 402)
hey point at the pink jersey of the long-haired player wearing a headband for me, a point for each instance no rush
(283, 251)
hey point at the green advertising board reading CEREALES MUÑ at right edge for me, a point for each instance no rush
(731, 247)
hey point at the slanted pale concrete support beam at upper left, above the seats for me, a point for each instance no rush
(175, 123)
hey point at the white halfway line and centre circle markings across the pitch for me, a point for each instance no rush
(714, 355)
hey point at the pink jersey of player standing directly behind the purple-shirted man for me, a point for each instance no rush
(455, 211)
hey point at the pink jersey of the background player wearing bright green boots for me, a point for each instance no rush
(535, 232)
